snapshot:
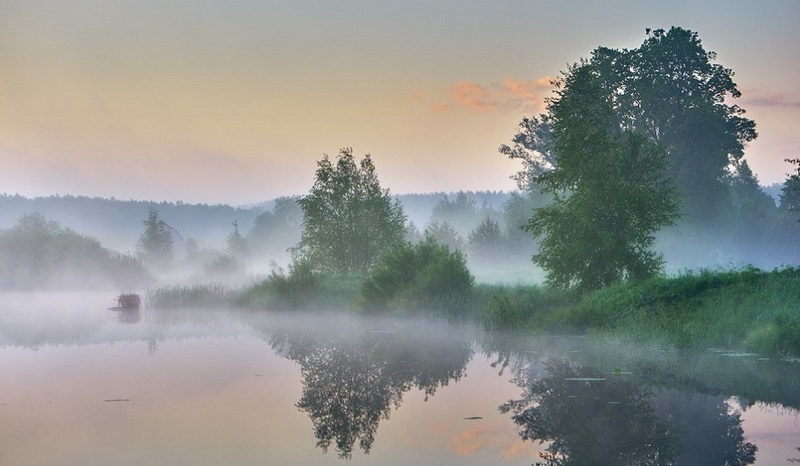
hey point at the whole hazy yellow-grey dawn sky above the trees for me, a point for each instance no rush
(234, 101)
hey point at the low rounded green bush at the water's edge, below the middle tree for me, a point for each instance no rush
(416, 276)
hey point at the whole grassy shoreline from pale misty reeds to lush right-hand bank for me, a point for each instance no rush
(746, 309)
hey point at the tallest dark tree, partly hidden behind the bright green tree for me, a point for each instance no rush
(669, 89)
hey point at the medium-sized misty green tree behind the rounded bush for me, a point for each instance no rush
(348, 219)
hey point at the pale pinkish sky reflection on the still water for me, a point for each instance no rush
(80, 386)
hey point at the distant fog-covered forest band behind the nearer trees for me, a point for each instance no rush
(227, 241)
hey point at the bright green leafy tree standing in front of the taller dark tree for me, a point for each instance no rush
(609, 189)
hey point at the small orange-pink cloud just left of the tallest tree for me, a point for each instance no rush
(510, 95)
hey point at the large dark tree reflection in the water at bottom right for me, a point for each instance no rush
(592, 418)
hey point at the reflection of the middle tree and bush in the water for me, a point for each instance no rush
(352, 379)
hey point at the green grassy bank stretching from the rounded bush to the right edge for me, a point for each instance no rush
(749, 309)
